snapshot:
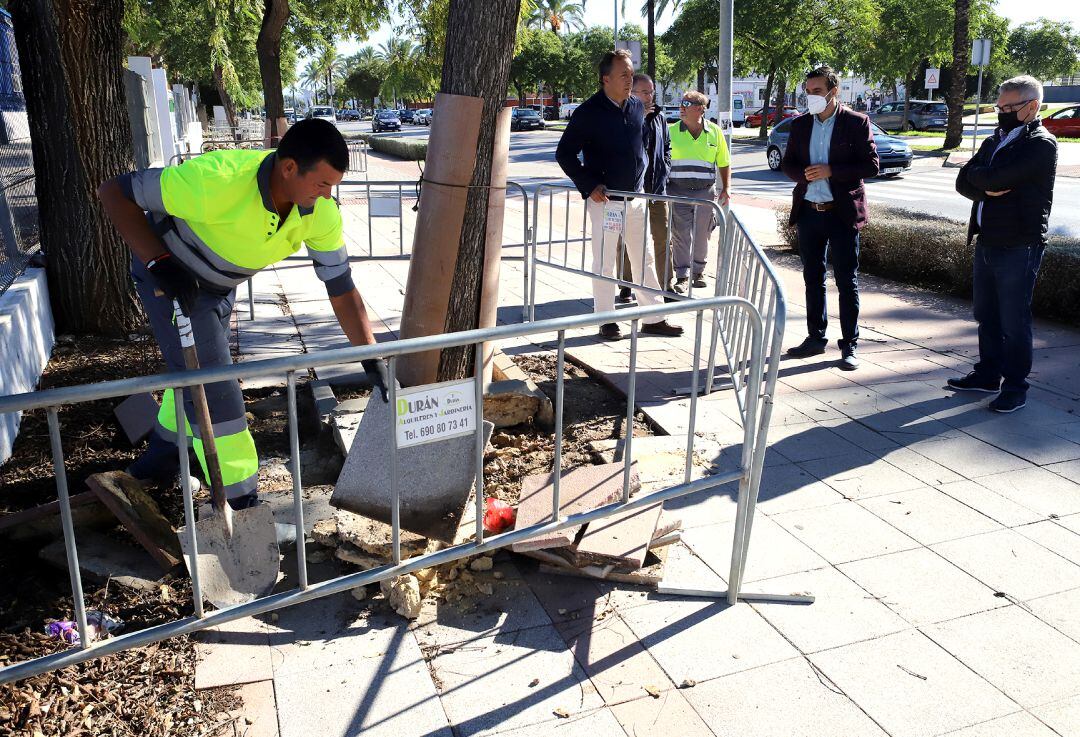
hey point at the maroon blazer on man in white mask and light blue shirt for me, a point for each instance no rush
(853, 156)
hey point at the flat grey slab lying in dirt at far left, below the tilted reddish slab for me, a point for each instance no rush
(103, 558)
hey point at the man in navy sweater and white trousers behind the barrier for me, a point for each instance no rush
(603, 151)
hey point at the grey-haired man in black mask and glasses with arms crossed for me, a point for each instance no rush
(1011, 185)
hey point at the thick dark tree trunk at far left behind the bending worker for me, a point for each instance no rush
(72, 58)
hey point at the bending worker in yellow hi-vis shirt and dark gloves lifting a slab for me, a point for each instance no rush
(200, 230)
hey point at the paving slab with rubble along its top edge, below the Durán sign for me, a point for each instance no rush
(510, 608)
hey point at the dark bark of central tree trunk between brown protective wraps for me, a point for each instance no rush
(480, 45)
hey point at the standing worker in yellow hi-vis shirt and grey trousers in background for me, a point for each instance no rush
(699, 158)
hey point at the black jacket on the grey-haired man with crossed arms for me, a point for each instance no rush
(1027, 168)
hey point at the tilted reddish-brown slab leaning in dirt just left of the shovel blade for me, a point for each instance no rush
(140, 515)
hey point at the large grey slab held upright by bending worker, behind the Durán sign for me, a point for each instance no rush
(435, 480)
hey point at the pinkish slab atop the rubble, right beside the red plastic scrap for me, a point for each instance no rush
(580, 490)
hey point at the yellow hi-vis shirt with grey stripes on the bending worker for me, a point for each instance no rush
(217, 217)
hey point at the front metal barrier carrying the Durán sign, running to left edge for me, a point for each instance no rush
(51, 400)
